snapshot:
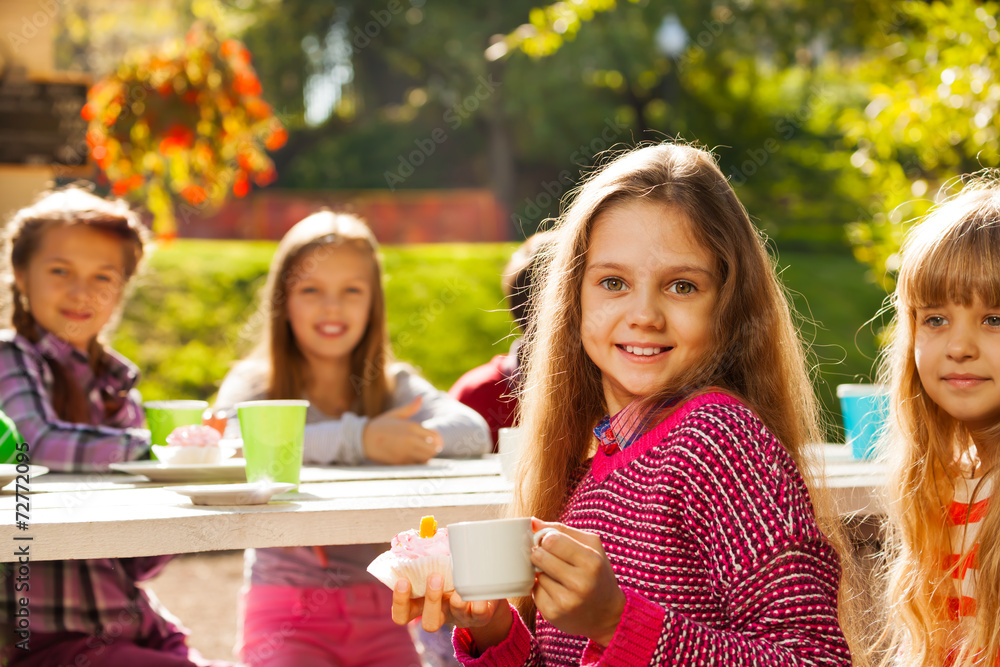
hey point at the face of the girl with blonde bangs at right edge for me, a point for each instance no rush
(957, 351)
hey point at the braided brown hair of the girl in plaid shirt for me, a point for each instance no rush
(55, 209)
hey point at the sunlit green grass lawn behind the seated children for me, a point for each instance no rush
(186, 321)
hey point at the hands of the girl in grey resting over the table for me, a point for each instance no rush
(393, 439)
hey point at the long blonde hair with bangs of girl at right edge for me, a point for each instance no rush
(953, 256)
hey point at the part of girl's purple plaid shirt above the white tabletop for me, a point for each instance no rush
(26, 385)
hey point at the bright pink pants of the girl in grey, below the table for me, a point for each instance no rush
(286, 626)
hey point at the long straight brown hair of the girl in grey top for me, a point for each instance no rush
(302, 245)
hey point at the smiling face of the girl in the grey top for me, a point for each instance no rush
(329, 301)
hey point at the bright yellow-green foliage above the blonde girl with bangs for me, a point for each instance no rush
(931, 91)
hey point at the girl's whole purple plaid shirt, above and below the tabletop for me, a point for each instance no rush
(98, 596)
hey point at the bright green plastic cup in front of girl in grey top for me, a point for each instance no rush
(273, 432)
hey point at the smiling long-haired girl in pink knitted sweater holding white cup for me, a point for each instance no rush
(668, 410)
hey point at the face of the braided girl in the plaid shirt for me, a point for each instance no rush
(74, 282)
